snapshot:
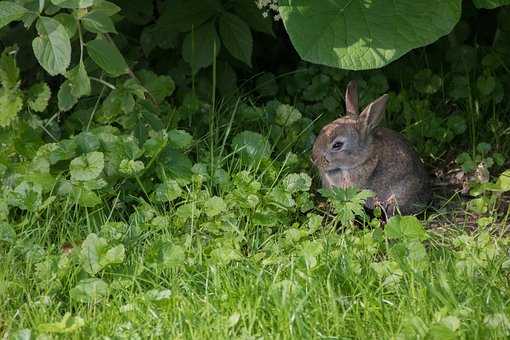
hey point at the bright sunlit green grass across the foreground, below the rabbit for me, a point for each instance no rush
(322, 285)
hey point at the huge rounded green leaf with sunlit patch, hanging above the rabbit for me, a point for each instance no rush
(357, 35)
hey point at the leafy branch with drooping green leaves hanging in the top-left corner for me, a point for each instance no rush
(58, 24)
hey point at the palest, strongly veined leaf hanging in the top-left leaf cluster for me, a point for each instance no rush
(52, 47)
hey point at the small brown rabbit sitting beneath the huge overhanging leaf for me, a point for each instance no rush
(353, 151)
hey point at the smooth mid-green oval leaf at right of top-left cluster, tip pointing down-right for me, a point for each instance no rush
(106, 55)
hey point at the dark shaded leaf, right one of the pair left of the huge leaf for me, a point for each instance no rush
(236, 37)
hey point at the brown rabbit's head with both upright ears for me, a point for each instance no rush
(347, 142)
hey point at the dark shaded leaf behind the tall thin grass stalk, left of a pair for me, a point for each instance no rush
(201, 46)
